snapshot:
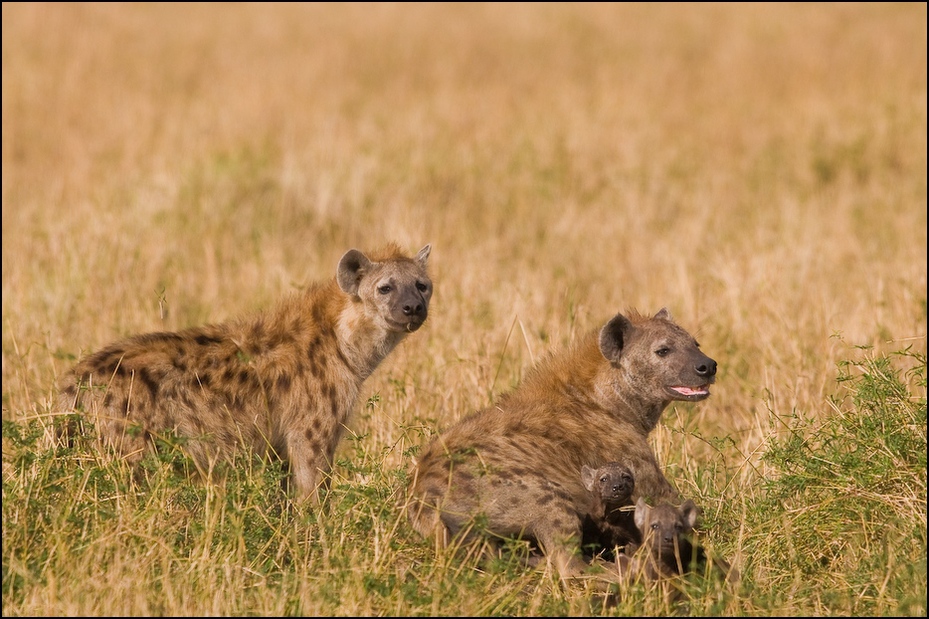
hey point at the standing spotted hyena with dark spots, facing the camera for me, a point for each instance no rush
(283, 382)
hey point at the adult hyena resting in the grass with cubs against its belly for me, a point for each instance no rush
(512, 468)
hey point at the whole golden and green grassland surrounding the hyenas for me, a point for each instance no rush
(759, 170)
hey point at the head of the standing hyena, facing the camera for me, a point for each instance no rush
(395, 290)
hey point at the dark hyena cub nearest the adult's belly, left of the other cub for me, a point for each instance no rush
(610, 526)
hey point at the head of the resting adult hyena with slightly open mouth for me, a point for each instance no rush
(659, 359)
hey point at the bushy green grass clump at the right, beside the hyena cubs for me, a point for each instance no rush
(842, 515)
